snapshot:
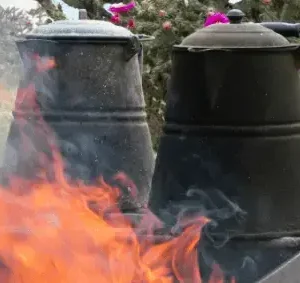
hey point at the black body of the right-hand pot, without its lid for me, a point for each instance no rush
(231, 141)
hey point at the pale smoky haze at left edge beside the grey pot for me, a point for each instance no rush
(13, 23)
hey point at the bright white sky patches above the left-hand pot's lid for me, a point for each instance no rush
(70, 12)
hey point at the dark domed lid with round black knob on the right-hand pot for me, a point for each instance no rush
(236, 35)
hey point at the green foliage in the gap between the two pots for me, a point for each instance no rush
(185, 17)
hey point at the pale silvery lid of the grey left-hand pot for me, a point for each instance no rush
(81, 29)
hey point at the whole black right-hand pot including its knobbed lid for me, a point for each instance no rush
(231, 144)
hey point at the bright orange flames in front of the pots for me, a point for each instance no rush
(55, 231)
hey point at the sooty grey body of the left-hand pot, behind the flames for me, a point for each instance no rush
(93, 102)
